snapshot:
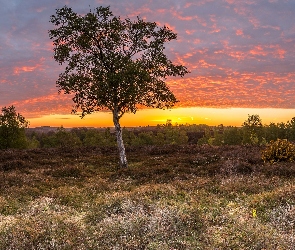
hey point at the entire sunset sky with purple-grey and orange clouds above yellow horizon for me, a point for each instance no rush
(241, 54)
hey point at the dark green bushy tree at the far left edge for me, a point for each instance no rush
(12, 129)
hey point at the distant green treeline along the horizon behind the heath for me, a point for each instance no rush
(252, 132)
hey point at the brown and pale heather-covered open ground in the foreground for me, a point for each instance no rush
(171, 197)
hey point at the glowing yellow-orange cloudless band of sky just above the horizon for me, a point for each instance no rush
(153, 117)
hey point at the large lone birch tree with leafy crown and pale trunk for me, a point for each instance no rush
(113, 64)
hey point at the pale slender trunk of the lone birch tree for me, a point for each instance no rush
(120, 143)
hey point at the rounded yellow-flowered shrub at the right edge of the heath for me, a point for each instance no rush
(280, 150)
